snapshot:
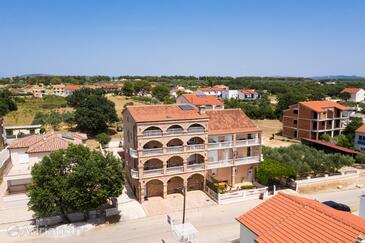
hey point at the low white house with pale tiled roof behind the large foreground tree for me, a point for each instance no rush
(27, 151)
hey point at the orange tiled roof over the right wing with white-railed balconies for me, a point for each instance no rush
(229, 121)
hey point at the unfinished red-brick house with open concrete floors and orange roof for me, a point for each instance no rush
(312, 119)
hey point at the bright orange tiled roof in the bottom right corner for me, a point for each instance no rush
(288, 218)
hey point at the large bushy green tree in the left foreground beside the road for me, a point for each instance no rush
(74, 179)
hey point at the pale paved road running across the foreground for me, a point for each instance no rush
(215, 223)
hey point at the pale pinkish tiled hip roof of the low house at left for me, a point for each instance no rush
(48, 142)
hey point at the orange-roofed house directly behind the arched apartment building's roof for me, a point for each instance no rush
(206, 102)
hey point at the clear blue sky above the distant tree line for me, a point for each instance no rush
(182, 37)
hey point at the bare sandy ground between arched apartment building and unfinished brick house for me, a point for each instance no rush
(270, 127)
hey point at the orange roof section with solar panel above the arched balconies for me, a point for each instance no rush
(149, 113)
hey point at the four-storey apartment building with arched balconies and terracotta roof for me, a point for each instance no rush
(169, 147)
